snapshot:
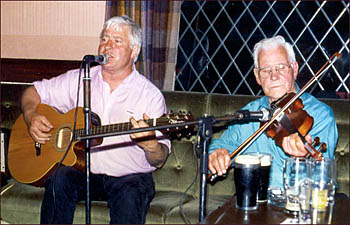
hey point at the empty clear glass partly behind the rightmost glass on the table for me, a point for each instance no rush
(295, 171)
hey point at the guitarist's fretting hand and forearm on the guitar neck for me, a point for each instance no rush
(156, 153)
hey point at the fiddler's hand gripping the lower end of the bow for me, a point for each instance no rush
(219, 161)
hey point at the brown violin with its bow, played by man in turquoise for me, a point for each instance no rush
(288, 117)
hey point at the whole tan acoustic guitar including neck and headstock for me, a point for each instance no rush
(32, 163)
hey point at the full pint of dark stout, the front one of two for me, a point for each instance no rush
(246, 175)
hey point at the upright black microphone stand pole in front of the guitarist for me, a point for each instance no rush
(87, 120)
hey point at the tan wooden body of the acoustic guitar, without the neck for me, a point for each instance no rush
(31, 166)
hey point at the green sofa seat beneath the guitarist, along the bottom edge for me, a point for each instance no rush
(21, 204)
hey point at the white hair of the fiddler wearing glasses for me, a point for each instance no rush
(271, 43)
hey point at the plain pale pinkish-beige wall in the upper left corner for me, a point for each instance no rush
(65, 30)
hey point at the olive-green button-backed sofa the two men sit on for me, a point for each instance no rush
(21, 203)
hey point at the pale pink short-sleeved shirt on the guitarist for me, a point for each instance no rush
(118, 155)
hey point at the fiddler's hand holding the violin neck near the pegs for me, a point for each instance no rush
(293, 145)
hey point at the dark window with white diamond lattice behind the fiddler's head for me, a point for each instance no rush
(217, 38)
